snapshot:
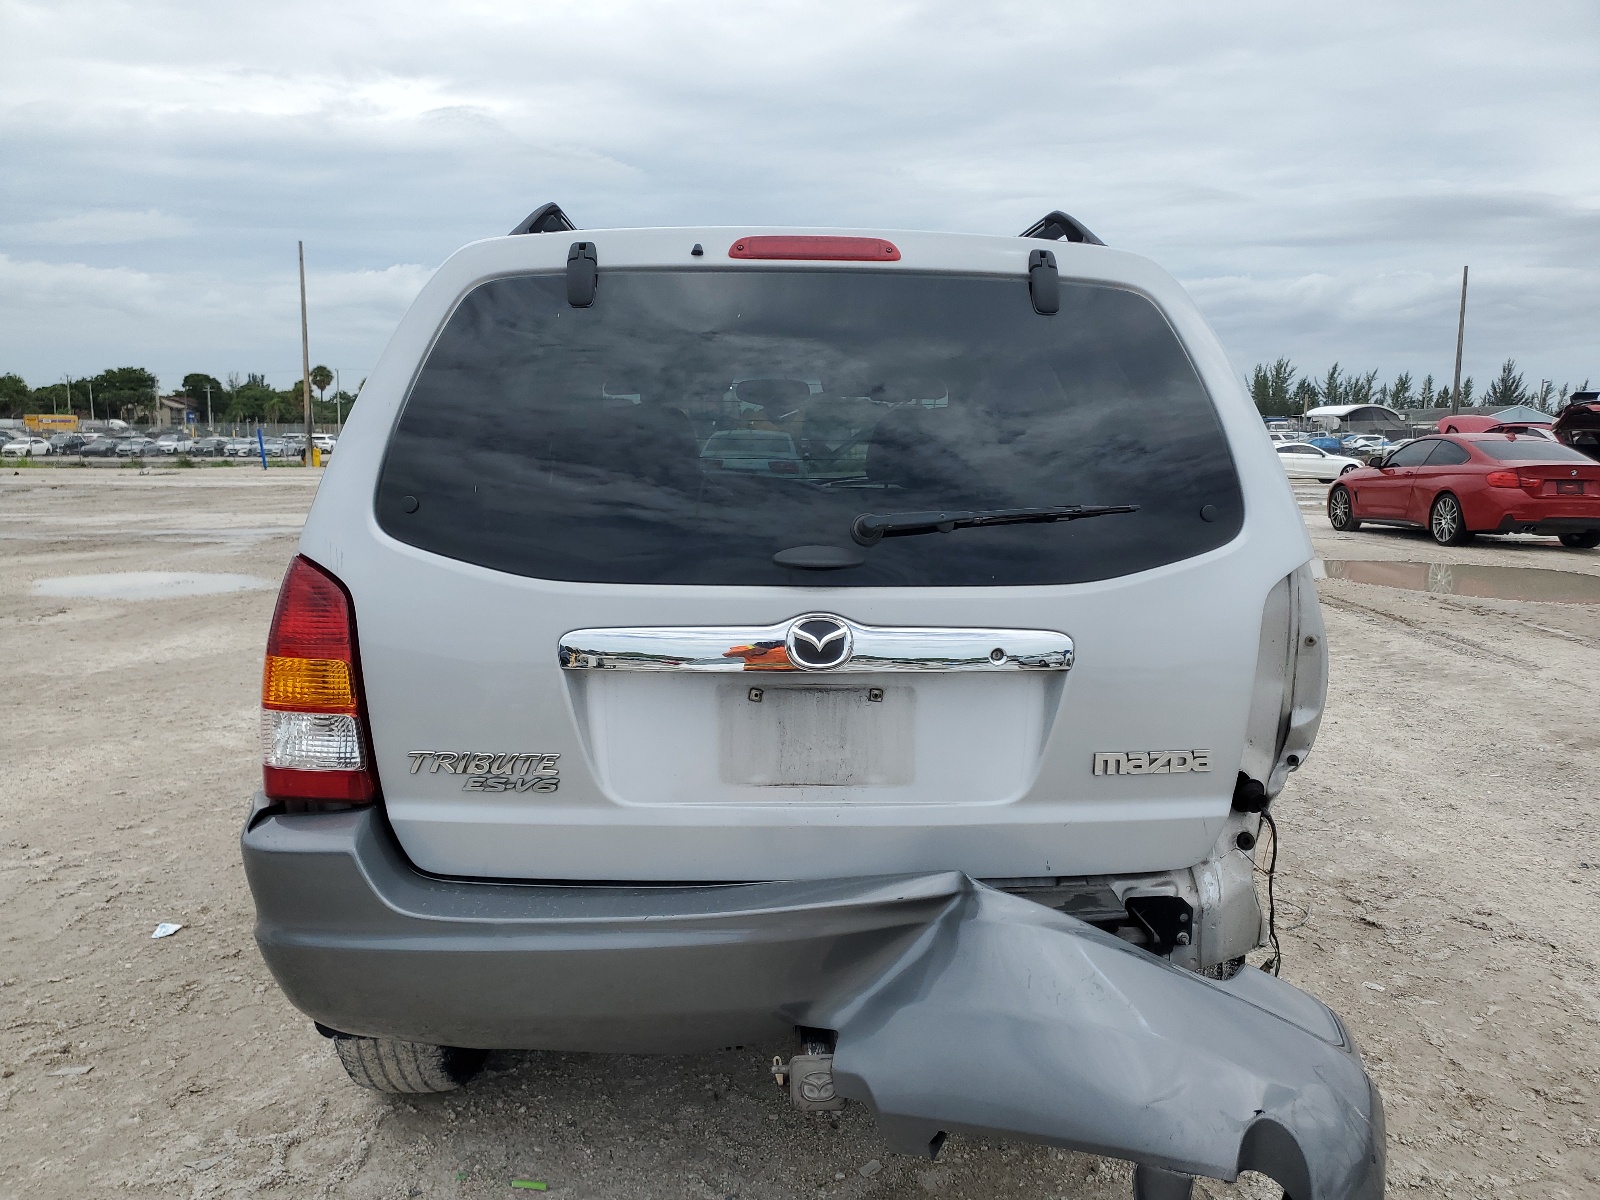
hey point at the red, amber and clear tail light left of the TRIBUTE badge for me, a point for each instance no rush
(313, 724)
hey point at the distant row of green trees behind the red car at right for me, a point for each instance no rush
(1281, 390)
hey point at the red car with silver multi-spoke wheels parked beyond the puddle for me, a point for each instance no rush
(1463, 484)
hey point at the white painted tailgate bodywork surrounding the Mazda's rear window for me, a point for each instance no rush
(463, 658)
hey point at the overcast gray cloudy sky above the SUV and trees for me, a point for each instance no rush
(1314, 178)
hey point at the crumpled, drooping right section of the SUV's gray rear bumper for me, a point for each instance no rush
(1010, 1018)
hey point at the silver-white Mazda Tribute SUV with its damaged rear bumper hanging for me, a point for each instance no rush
(940, 742)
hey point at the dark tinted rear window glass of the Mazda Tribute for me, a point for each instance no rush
(692, 425)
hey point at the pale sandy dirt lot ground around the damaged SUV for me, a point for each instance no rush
(1439, 886)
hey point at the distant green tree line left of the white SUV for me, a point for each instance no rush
(130, 394)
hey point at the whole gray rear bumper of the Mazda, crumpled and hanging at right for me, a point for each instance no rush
(958, 1007)
